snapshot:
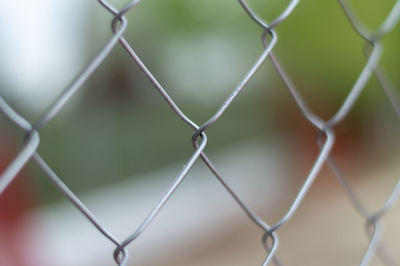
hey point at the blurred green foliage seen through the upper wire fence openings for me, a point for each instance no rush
(124, 127)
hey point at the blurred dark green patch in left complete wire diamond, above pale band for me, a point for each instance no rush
(114, 127)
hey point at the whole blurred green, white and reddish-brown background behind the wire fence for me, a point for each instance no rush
(118, 145)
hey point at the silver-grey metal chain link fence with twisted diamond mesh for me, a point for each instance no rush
(325, 137)
